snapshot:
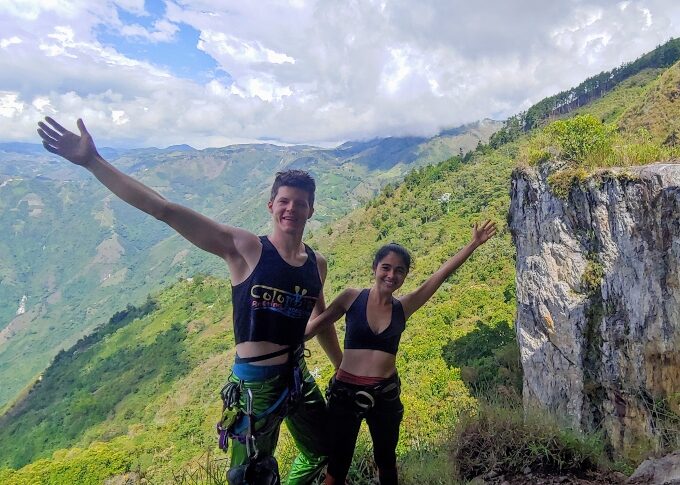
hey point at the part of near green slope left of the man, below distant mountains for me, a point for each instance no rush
(146, 380)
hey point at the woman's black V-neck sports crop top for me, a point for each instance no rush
(358, 334)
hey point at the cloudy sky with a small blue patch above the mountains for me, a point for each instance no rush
(213, 73)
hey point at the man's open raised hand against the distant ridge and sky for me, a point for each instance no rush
(80, 150)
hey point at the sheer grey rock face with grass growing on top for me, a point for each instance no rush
(598, 293)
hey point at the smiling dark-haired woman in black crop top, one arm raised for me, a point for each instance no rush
(366, 384)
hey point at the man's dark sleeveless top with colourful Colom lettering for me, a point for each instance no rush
(274, 303)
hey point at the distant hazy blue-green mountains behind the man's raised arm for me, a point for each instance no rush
(77, 253)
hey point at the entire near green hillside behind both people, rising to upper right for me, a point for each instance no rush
(140, 395)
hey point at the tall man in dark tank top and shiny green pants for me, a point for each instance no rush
(277, 284)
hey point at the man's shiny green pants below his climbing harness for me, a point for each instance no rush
(306, 421)
